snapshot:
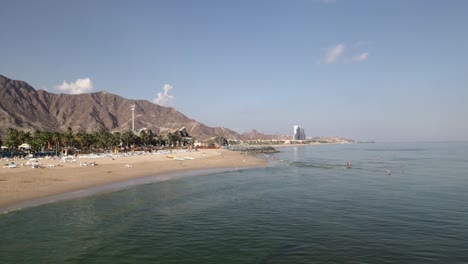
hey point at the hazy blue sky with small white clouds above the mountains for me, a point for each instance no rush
(366, 70)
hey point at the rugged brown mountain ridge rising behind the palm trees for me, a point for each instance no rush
(23, 107)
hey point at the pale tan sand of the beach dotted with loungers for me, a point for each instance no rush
(54, 177)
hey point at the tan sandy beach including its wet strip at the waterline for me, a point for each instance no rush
(24, 186)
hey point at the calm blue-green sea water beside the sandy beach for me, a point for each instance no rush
(307, 207)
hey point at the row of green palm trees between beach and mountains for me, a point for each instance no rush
(101, 139)
